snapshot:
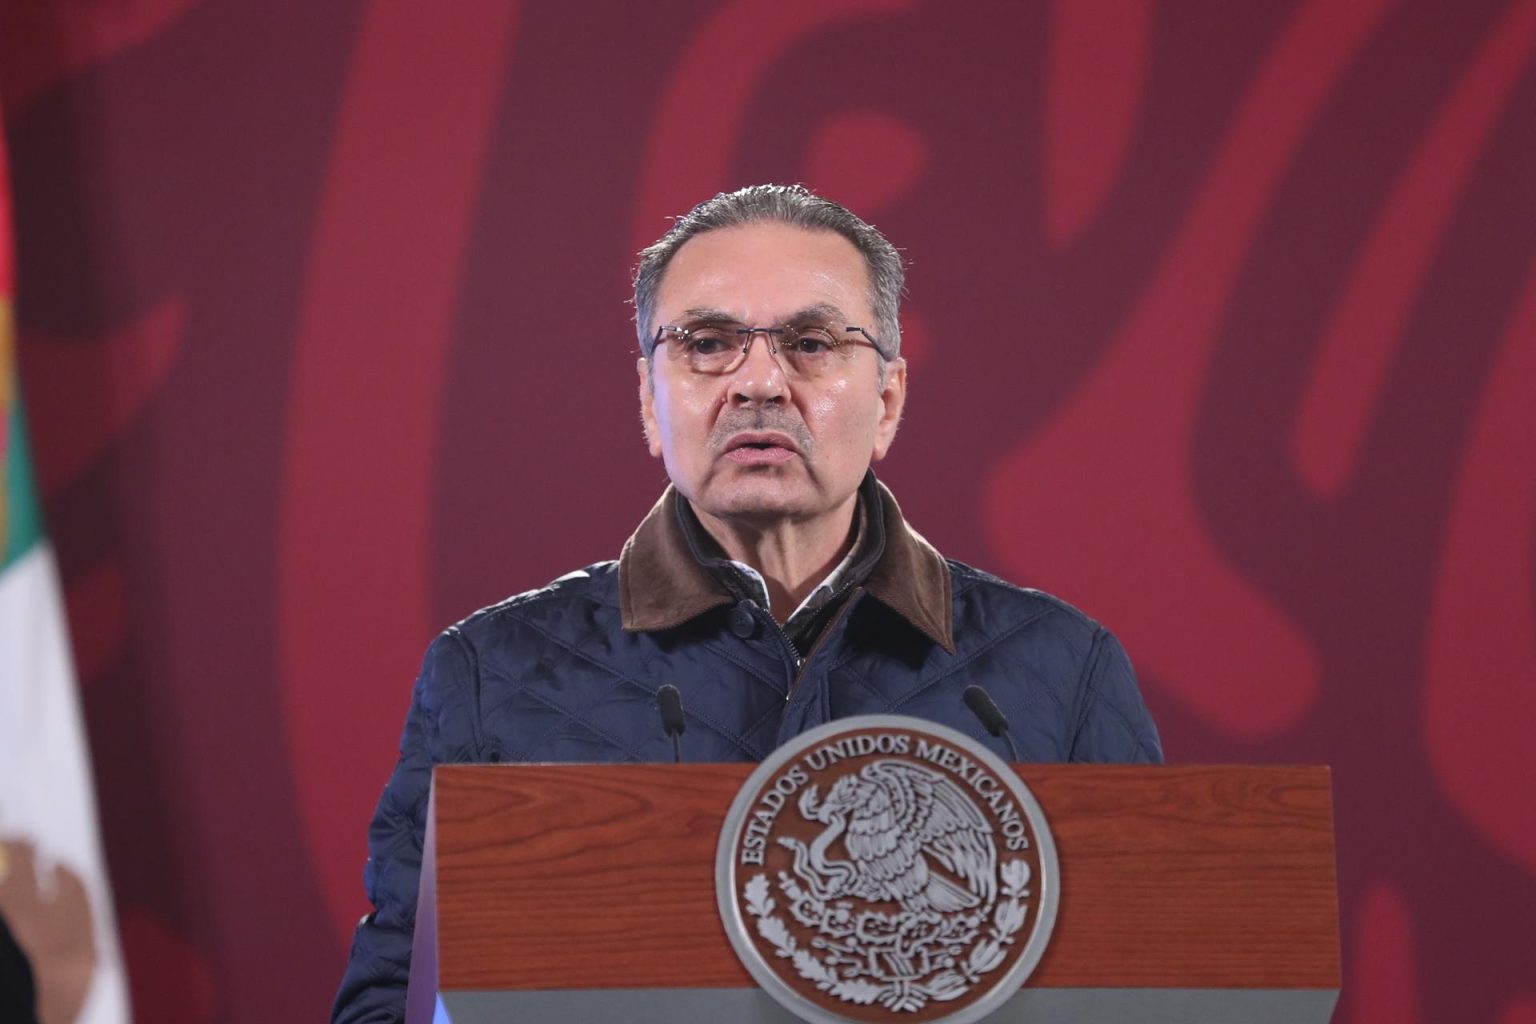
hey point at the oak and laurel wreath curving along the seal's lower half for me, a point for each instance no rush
(1008, 917)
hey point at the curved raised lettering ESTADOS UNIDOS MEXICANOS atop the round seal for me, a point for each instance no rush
(987, 787)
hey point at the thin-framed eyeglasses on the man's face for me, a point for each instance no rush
(807, 351)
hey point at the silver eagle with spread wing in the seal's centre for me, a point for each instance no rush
(899, 824)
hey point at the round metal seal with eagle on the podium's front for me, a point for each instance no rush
(887, 868)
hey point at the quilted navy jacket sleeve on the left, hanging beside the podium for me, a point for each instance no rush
(439, 728)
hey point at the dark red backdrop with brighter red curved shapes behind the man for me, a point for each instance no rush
(1222, 325)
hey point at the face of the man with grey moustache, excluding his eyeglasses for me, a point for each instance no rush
(755, 446)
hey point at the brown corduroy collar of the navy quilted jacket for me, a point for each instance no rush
(663, 586)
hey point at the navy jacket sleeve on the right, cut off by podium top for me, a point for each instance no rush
(1114, 724)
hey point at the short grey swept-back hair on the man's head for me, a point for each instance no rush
(792, 205)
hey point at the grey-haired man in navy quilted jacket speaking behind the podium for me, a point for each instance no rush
(775, 584)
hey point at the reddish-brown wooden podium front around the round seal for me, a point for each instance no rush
(586, 893)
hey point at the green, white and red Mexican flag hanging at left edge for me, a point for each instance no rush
(55, 891)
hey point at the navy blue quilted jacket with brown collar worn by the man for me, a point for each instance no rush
(569, 673)
